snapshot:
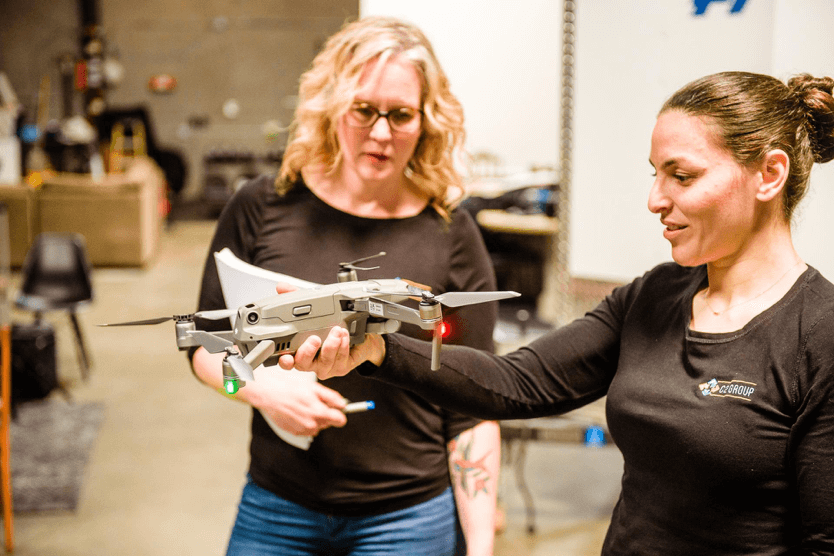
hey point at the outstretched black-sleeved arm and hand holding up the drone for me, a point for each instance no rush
(564, 369)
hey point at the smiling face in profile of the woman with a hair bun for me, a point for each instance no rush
(705, 199)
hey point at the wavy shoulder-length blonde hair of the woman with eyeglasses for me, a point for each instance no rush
(328, 89)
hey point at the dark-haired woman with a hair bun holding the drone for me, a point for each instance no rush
(718, 367)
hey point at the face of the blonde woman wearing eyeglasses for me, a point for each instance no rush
(378, 154)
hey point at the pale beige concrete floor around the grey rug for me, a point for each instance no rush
(169, 461)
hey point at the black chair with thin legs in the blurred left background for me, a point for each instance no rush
(56, 277)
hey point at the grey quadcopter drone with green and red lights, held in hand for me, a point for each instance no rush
(277, 325)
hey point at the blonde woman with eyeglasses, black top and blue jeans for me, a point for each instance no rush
(370, 167)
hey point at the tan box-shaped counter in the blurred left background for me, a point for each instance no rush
(118, 216)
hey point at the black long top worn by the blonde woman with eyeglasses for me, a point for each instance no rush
(394, 456)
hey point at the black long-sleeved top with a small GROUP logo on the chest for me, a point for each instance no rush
(728, 439)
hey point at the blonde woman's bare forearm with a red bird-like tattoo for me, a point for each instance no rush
(474, 463)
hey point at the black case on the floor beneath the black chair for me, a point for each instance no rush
(34, 372)
